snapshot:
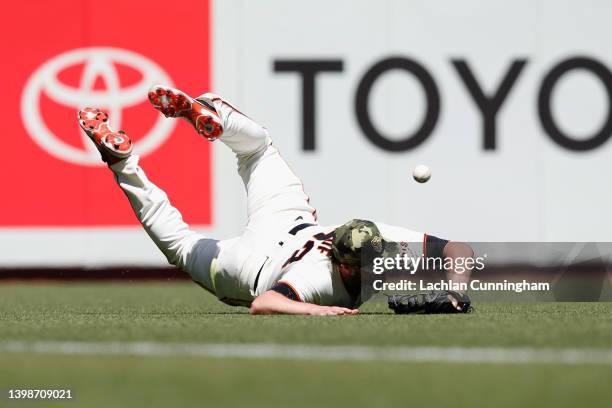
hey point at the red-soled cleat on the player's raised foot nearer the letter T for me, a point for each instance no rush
(176, 104)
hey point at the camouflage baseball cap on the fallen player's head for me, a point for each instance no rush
(357, 240)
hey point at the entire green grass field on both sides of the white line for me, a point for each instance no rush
(169, 313)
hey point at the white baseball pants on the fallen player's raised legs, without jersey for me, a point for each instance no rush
(275, 199)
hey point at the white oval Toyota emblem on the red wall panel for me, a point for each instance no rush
(98, 63)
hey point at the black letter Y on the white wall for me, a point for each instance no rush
(489, 105)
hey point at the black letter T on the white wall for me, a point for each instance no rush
(308, 69)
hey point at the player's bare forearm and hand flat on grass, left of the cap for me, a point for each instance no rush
(281, 299)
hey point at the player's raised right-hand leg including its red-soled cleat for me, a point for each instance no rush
(275, 195)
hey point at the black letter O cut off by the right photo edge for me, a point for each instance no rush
(546, 90)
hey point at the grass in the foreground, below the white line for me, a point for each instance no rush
(182, 382)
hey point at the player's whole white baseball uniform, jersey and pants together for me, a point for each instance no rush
(281, 242)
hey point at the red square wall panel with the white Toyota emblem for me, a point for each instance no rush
(63, 60)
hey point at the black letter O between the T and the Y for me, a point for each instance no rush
(362, 104)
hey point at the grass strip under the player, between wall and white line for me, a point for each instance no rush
(183, 312)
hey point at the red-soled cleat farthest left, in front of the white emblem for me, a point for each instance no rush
(113, 146)
